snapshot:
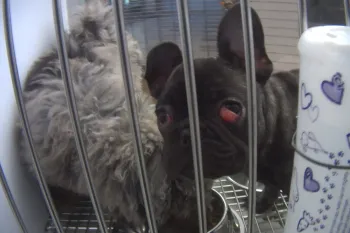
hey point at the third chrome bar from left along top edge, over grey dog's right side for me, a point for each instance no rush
(133, 113)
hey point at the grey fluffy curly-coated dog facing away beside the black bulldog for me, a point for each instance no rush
(99, 90)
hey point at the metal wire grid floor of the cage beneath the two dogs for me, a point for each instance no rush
(81, 218)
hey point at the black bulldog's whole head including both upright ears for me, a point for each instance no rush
(221, 95)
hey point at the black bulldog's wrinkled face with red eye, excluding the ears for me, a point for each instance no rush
(221, 101)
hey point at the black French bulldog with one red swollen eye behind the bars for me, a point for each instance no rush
(222, 101)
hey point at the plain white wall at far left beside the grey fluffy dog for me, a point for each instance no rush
(33, 31)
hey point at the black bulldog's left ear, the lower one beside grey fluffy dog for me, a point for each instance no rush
(161, 61)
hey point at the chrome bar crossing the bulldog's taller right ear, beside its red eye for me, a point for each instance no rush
(252, 108)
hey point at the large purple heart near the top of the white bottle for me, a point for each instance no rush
(334, 89)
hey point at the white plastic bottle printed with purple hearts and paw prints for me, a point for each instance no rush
(320, 196)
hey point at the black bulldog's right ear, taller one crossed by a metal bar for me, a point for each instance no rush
(230, 43)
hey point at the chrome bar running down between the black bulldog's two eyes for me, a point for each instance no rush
(191, 93)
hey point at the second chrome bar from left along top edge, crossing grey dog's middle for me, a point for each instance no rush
(72, 105)
